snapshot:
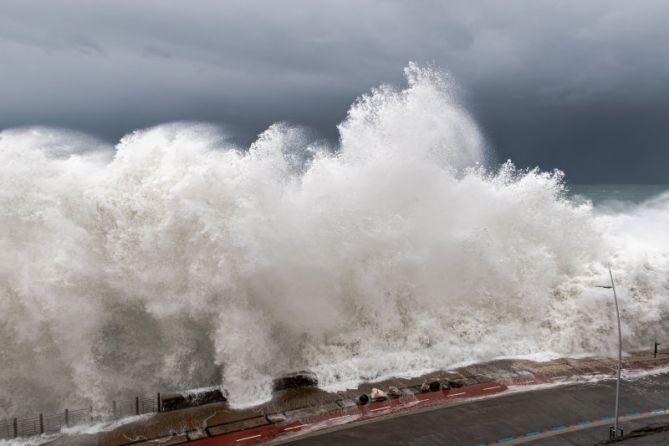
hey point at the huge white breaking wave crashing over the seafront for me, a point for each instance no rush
(177, 260)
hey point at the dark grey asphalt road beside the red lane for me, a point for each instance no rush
(499, 419)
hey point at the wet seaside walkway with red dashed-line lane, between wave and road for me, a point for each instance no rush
(298, 412)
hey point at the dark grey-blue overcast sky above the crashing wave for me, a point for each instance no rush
(578, 85)
